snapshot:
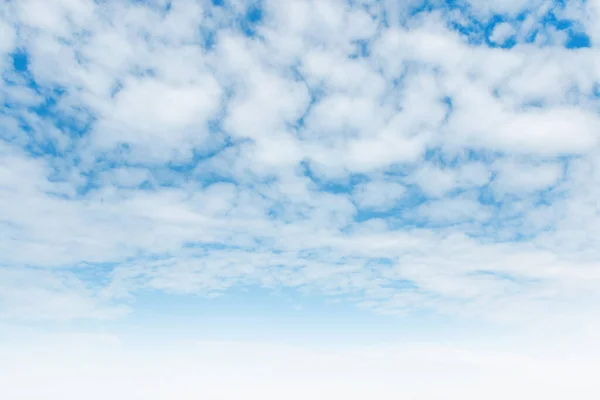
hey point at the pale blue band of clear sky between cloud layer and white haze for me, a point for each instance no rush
(283, 316)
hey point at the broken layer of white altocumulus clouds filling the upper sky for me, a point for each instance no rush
(408, 157)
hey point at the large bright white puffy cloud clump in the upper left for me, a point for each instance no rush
(159, 119)
